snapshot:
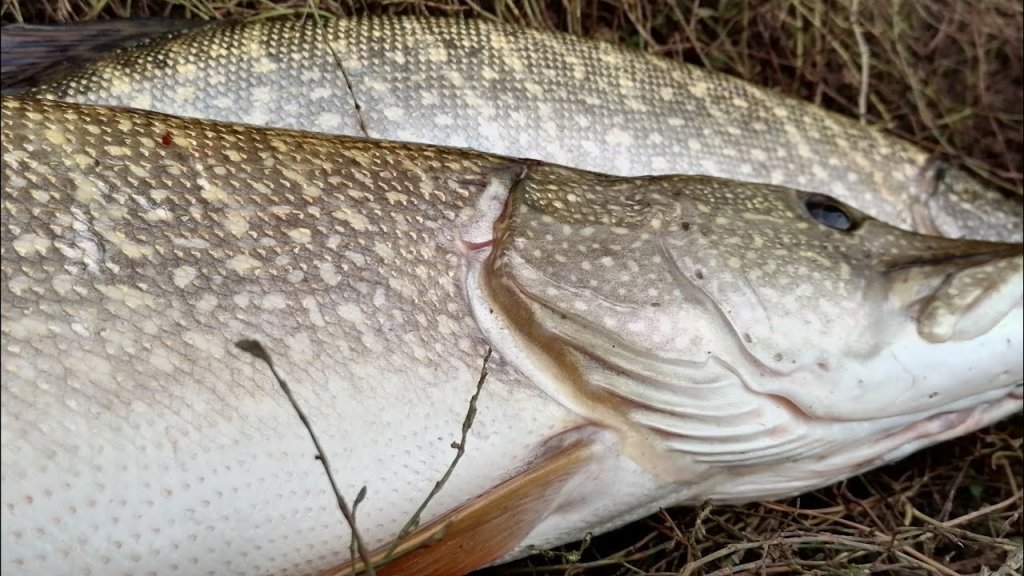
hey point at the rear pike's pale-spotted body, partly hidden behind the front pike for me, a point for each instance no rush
(527, 94)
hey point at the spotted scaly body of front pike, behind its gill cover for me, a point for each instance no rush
(139, 440)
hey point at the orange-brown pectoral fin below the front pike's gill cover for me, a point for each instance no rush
(487, 528)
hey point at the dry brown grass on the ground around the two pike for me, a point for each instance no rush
(946, 74)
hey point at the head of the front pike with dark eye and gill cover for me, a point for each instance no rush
(745, 324)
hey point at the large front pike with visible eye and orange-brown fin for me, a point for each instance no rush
(656, 342)
